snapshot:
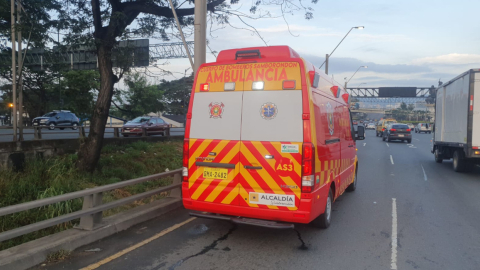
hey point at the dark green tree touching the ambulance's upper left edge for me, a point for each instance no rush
(176, 95)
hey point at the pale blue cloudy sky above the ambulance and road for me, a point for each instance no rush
(404, 43)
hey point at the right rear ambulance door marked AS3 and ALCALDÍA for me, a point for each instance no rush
(271, 137)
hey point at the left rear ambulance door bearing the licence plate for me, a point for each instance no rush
(214, 143)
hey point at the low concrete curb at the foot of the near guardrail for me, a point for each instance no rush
(35, 252)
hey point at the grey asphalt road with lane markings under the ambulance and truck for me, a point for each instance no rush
(408, 212)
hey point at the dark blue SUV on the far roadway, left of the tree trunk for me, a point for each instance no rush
(60, 119)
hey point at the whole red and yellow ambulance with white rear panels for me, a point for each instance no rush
(269, 140)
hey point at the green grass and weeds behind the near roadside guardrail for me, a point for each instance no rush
(56, 176)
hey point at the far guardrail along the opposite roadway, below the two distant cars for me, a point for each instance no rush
(37, 131)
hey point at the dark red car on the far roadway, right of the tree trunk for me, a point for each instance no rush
(152, 125)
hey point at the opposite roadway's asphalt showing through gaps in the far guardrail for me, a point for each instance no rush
(6, 135)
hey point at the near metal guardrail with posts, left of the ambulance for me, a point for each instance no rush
(91, 213)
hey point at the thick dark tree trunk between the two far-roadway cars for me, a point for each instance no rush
(90, 149)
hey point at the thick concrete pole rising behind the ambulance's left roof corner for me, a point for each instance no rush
(200, 36)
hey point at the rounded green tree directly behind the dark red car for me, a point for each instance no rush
(139, 98)
